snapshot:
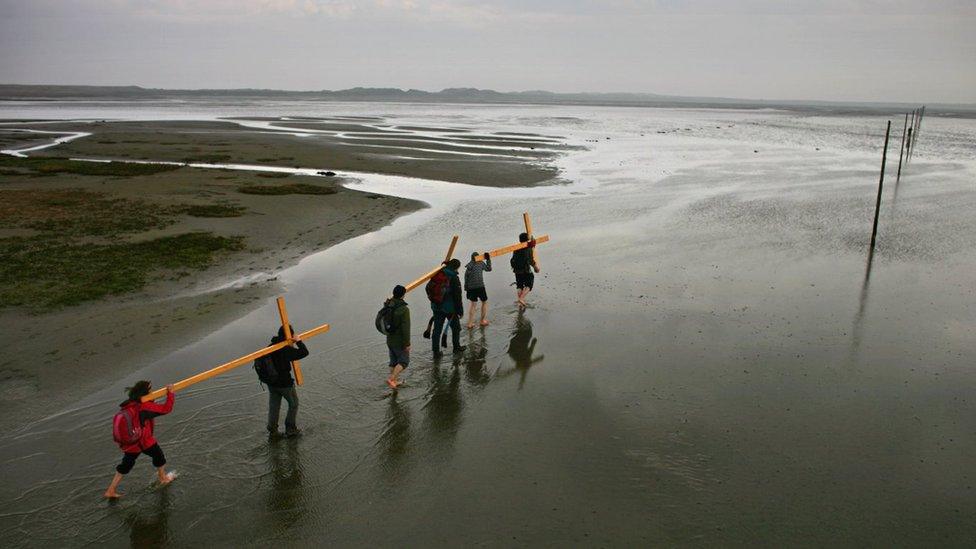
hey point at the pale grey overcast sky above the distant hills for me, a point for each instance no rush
(854, 50)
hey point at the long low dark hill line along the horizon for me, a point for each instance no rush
(14, 92)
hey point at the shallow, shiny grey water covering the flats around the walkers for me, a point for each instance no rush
(704, 361)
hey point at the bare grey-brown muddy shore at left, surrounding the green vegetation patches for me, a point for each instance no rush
(55, 351)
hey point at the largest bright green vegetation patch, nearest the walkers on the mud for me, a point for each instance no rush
(42, 273)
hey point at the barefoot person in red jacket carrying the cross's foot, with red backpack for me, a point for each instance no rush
(133, 431)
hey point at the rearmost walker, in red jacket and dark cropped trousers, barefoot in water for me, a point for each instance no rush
(147, 412)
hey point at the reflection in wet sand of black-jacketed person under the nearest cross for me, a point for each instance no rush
(285, 499)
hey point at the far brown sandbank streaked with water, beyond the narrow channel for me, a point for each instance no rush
(227, 142)
